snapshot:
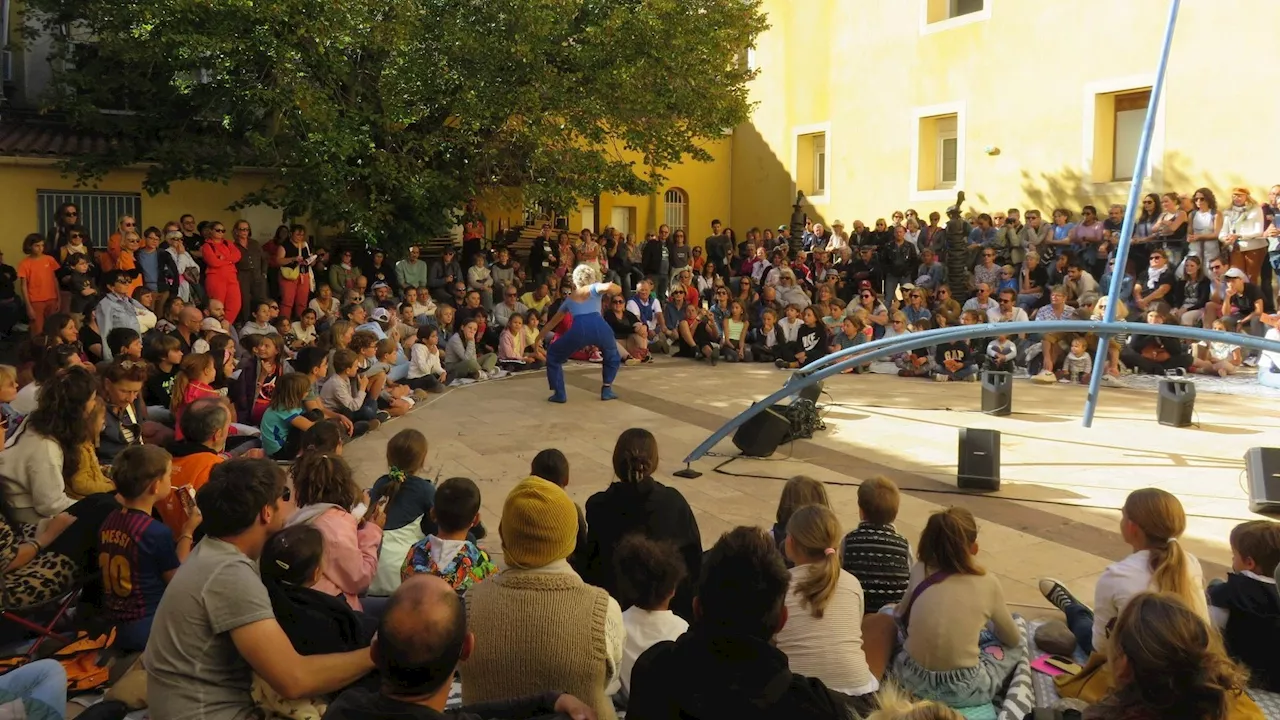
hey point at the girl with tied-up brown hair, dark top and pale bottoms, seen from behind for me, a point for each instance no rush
(410, 499)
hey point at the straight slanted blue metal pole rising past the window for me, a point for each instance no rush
(1140, 170)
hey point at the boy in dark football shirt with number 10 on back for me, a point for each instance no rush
(138, 554)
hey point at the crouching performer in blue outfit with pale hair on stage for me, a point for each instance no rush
(589, 329)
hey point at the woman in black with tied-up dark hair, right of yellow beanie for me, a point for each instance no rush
(637, 504)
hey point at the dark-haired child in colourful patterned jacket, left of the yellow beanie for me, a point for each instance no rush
(449, 554)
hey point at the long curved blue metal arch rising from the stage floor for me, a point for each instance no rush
(833, 364)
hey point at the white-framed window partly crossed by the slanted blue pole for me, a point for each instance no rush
(1116, 112)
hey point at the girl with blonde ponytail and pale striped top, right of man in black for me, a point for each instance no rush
(825, 632)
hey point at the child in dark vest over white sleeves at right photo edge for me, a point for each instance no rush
(1246, 608)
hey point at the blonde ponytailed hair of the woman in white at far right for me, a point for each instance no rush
(1162, 520)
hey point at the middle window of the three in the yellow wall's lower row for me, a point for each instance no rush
(938, 152)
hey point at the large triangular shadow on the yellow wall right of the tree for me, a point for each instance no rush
(764, 190)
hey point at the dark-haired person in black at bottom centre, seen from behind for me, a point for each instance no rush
(726, 666)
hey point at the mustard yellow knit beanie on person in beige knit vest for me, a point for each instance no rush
(540, 525)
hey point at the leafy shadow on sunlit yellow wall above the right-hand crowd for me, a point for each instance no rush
(1072, 189)
